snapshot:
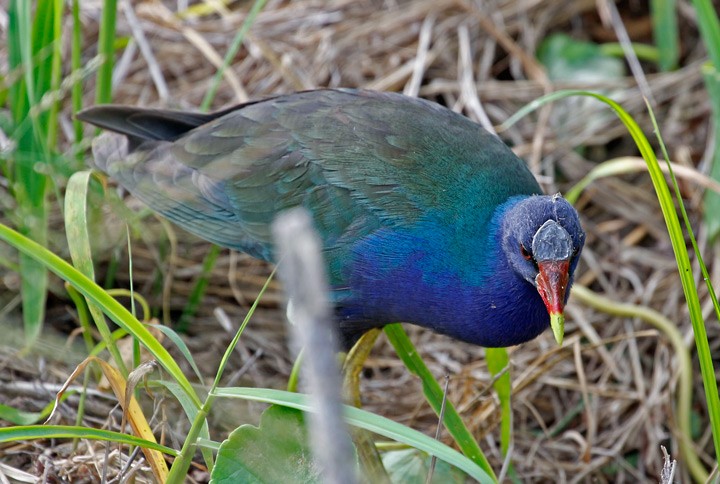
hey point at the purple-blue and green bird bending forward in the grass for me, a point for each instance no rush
(425, 217)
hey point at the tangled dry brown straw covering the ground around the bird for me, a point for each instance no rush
(600, 407)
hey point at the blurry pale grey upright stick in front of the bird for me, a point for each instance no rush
(302, 271)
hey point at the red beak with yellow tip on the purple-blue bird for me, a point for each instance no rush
(552, 283)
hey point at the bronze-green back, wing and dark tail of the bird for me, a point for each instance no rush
(358, 160)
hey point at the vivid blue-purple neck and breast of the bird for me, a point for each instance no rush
(466, 290)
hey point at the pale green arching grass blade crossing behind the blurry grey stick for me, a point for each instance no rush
(368, 421)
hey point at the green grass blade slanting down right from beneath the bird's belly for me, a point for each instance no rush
(434, 395)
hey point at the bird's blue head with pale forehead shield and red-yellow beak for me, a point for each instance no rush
(542, 239)
